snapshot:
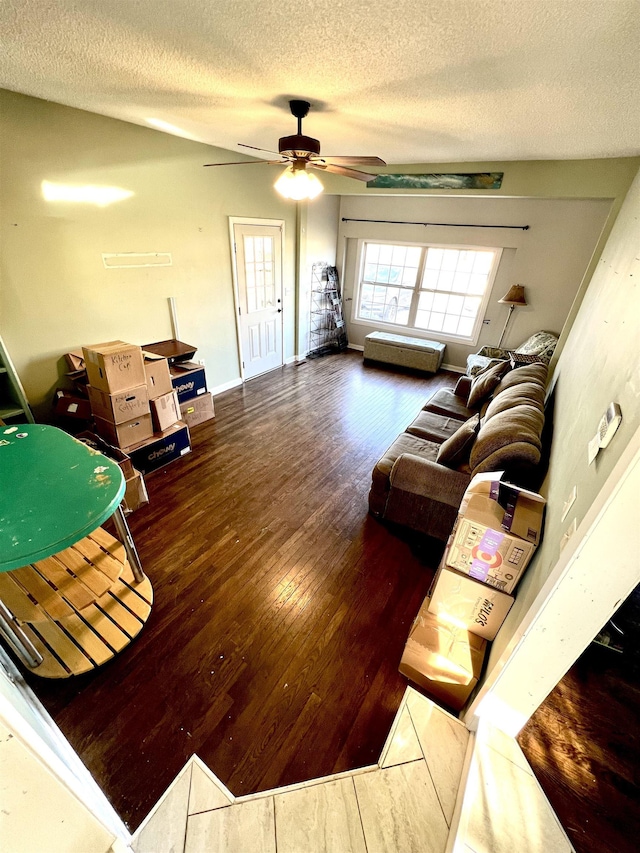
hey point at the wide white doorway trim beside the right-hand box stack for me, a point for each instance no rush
(577, 599)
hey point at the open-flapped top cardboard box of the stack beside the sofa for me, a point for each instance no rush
(497, 530)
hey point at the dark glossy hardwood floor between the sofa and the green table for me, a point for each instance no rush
(281, 608)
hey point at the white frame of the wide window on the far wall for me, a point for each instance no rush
(414, 331)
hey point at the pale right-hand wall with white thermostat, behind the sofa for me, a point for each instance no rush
(599, 364)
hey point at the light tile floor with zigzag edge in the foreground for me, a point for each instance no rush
(408, 802)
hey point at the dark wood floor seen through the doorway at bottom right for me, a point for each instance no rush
(583, 744)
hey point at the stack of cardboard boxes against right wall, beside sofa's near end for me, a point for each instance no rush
(496, 533)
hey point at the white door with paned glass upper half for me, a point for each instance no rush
(258, 261)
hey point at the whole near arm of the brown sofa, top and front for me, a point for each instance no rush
(424, 496)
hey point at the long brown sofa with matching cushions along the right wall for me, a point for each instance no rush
(493, 422)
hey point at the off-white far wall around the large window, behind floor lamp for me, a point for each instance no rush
(550, 258)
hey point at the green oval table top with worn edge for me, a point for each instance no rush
(54, 490)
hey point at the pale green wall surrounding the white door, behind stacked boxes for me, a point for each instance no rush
(55, 293)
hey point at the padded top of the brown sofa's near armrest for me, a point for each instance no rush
(428, 479)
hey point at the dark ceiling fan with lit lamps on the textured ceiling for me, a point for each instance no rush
(301, 153)
